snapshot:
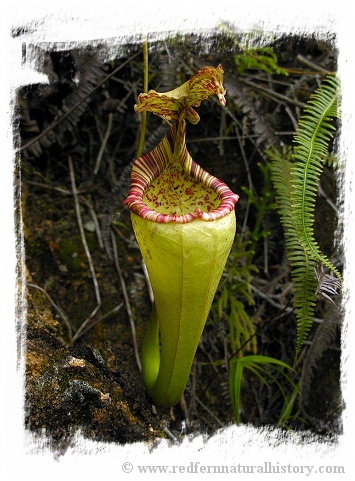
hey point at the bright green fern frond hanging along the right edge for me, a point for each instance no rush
(296, 185)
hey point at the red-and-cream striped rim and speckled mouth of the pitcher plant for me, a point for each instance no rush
(180, 193)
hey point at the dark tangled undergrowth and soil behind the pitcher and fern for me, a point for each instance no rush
(88, 299)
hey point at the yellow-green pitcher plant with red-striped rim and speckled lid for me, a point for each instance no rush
(184, 222)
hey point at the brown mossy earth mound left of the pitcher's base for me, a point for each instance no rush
(79, 387)
